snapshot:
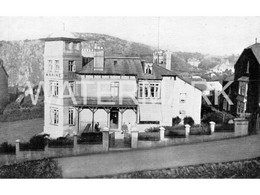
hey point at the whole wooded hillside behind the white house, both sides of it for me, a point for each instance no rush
(23, 59)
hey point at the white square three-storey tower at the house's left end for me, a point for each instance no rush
(62, 59)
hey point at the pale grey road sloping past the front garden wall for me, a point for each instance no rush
(173, 156)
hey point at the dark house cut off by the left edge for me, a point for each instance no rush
(4, 97)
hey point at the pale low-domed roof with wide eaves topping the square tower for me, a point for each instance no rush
(62, 36)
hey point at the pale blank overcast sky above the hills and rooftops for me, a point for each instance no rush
(213, 35)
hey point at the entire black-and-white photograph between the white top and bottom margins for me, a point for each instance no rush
(129, 97)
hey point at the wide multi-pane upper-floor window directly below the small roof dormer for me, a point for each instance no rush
(149, 90)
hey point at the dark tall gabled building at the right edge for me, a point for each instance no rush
(246, 88)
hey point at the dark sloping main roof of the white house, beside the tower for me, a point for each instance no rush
(125, 66)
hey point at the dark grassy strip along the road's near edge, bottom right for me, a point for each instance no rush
(237, 169)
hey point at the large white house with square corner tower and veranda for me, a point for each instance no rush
(82, 87)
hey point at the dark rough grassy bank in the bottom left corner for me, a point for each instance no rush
(45, 168)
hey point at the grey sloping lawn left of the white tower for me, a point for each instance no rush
(23, 130)
